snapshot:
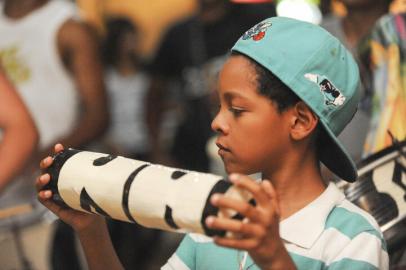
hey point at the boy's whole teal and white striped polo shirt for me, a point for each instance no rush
(329, 233)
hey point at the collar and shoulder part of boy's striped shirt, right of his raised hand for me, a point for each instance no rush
(334, 231)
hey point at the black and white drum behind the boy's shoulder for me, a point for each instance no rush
(381, 191)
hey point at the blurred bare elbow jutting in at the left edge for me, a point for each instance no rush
(19, 134)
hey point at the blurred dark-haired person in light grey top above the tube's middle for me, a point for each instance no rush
(126, 84)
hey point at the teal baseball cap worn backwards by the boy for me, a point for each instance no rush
(319, 70)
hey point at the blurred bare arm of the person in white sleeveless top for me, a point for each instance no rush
(79, 49)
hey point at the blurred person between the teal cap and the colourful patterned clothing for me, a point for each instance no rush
(353, 31)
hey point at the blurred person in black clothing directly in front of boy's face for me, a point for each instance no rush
(183, 75)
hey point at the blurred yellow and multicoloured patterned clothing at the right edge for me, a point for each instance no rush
(388, 50)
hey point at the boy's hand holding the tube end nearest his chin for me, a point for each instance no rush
(258, 232)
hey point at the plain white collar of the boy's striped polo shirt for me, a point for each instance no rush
(304, 227)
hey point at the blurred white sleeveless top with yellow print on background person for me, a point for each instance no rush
(29, 54)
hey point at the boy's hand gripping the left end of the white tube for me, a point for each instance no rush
(80, 221)
